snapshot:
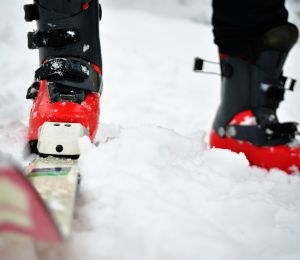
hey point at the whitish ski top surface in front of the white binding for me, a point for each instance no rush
(56, 181)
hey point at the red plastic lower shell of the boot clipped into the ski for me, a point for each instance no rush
(43, 110)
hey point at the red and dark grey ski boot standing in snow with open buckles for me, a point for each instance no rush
(246, 120)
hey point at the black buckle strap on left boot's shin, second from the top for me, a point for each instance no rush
(52, 38)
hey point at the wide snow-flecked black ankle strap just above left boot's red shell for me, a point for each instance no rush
(71, 72)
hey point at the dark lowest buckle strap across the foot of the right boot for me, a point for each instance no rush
(269, 135)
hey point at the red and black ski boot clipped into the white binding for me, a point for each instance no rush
(68, 84)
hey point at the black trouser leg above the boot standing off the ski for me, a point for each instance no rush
(237, 24)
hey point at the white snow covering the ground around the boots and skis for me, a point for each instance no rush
(150, 187)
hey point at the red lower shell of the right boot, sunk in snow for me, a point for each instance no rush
(283, 157)
